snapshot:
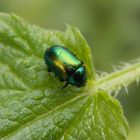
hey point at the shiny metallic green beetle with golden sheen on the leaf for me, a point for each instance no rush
(65, 65)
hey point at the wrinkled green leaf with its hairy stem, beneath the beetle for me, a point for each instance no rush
(32, 104)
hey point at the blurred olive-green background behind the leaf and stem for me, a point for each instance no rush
(111, 27)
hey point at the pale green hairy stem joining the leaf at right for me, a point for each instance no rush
(120, 78)
